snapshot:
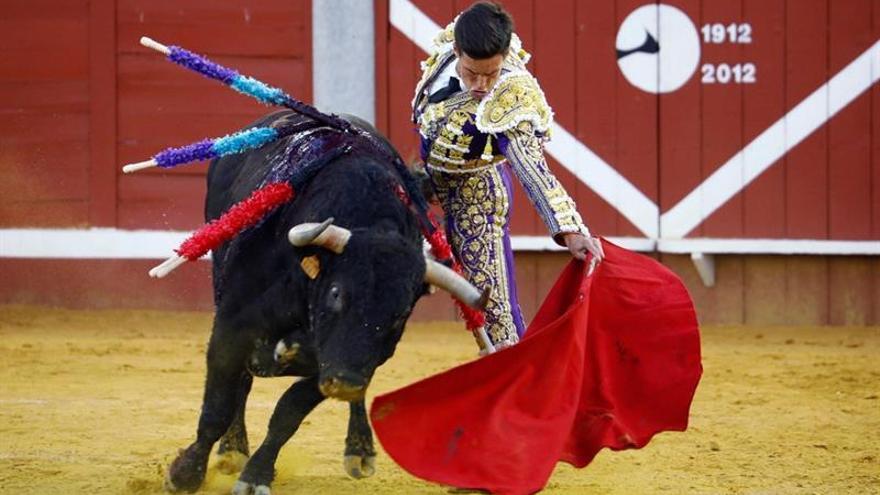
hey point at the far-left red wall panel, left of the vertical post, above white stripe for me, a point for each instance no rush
(44, 132)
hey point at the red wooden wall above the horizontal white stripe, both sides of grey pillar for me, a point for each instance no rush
(823, 188)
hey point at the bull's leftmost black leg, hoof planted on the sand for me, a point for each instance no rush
(226, 354)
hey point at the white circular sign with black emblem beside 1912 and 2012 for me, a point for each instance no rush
(658, 48)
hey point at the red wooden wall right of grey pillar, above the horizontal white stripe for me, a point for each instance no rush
(667, 144)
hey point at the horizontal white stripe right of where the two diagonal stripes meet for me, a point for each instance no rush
(768, 246)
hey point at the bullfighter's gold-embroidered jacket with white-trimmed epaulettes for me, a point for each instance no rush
(463, 135)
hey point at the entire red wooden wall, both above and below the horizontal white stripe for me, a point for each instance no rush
(80, 97)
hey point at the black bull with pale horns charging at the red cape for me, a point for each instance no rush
(333, 328)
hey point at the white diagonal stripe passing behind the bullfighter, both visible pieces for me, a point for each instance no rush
(581, 161)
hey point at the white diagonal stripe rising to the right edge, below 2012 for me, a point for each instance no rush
(810, 114)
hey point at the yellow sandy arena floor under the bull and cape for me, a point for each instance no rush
(99, 402)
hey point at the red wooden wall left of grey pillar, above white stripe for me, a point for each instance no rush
(81, 97)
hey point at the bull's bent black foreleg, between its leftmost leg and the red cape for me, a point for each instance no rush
(291, 409)
